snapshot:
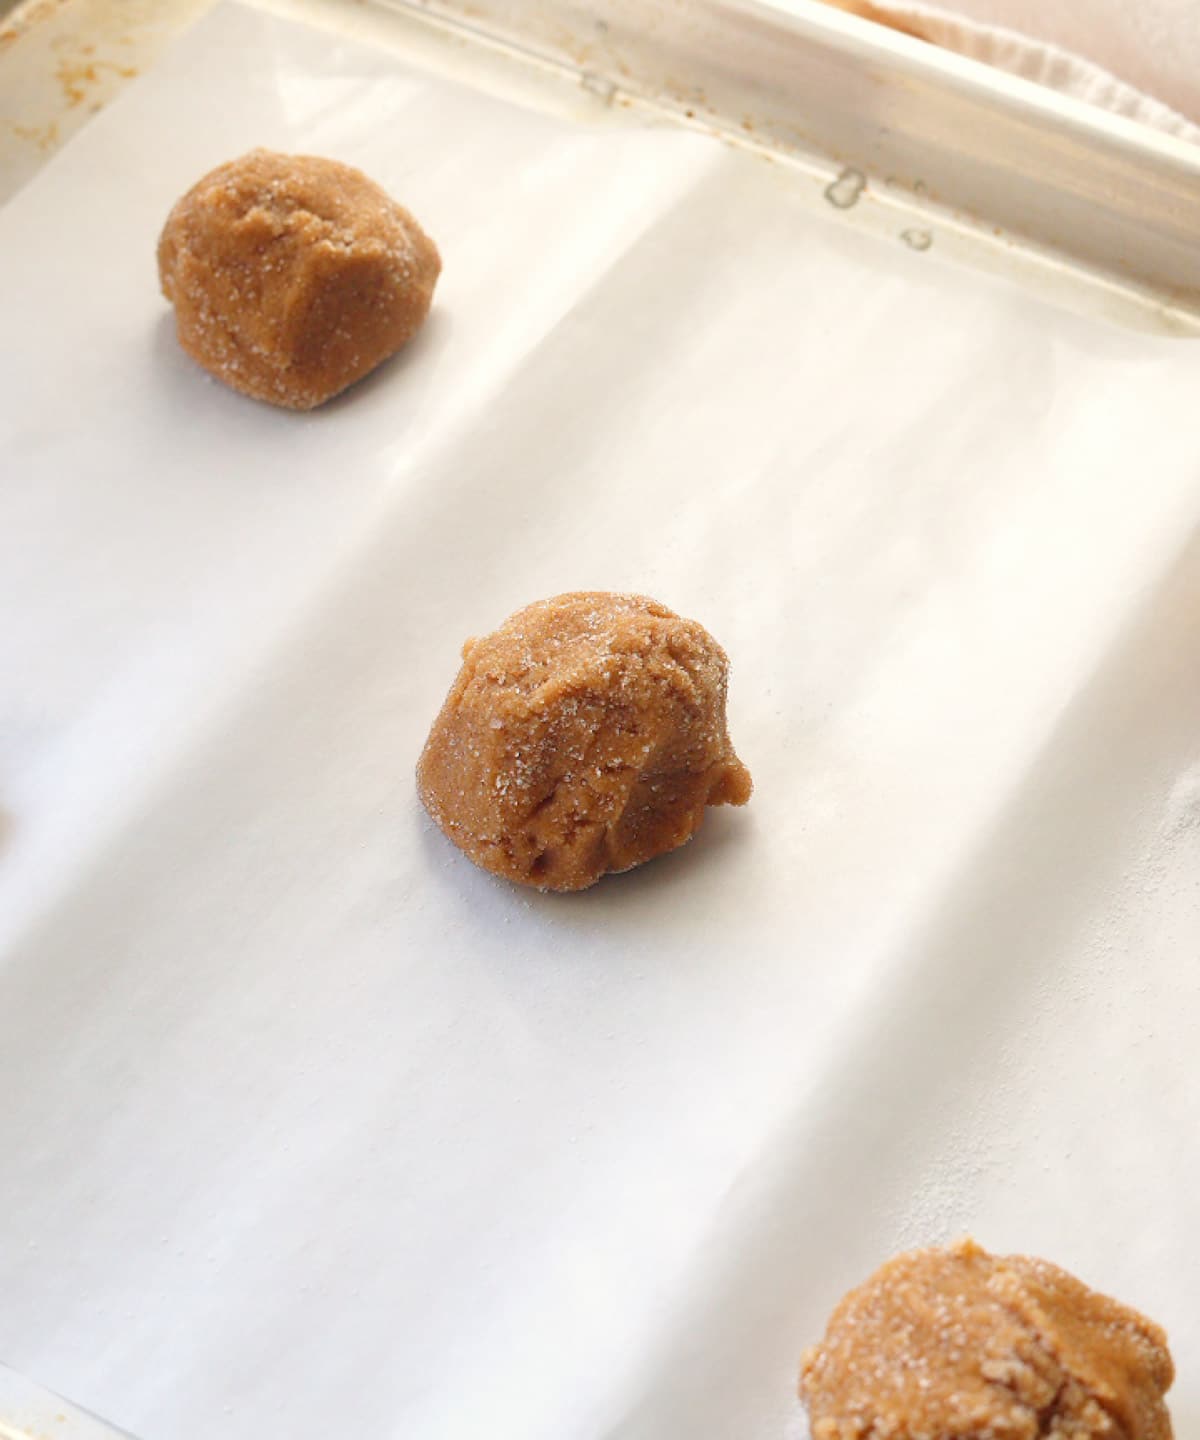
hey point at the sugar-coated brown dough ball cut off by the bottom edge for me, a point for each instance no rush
(954, 1344)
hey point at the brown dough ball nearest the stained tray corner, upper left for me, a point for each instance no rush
(293, 277)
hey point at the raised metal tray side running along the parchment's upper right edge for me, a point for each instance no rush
(934, 132)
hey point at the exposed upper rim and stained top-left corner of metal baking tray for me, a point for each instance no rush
(1093, 208)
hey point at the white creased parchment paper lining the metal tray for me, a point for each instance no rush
(312, 1128)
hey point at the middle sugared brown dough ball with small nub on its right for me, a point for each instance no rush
(587, 735)
